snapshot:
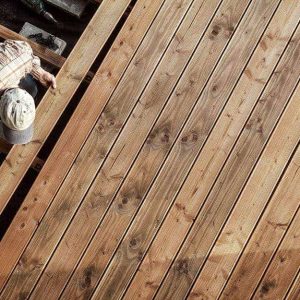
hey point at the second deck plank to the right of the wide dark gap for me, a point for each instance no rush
(137, 75)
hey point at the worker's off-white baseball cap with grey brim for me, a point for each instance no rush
(17, 113)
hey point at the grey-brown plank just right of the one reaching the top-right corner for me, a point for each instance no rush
(224, 194)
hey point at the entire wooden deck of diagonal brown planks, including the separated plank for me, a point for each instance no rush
(177, 176)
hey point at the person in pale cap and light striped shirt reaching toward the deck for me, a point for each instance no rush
(19, 69)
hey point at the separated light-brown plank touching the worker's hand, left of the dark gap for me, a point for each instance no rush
(54, 102)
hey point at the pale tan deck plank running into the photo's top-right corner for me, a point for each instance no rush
(216, 151)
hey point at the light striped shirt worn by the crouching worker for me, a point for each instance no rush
(17, 60)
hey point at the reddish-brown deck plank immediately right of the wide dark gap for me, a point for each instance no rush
(74, 135)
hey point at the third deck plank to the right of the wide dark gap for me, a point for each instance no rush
(144, 114)
